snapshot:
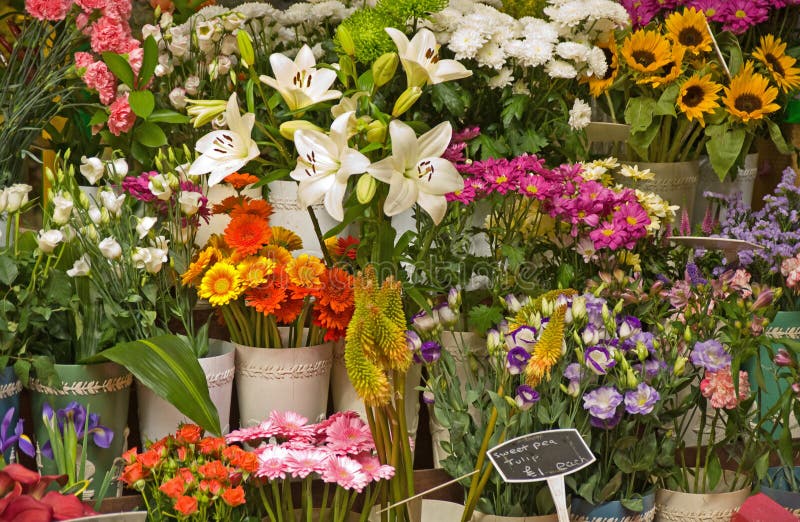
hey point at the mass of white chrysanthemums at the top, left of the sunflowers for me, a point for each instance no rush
(563, 44)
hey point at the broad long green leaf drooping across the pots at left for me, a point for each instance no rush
(168, 366)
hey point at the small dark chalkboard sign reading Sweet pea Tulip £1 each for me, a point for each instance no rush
(541, 455)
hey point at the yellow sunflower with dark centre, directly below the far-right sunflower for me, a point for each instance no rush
(750, 97)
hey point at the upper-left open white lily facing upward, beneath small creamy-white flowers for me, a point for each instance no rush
(299, 82)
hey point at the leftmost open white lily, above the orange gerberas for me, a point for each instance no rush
(226, 151)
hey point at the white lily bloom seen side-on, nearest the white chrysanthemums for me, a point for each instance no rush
(420, 59)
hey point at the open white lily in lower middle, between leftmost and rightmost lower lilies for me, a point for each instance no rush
(324, 164)
